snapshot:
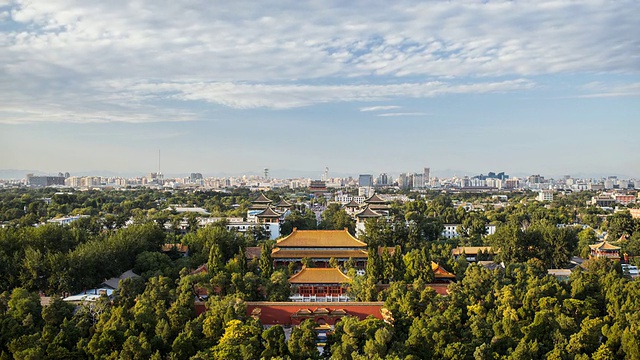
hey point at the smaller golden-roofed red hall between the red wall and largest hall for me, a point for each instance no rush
(319, 284)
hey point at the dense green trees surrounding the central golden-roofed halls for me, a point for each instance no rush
(515, 312)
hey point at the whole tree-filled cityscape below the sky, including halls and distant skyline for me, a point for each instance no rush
(367, 267)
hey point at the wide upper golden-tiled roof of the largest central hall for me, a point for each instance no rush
(320, 238)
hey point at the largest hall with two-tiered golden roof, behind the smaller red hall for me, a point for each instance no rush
(319, 246)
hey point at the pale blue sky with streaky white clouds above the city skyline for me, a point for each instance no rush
(547, 87)
